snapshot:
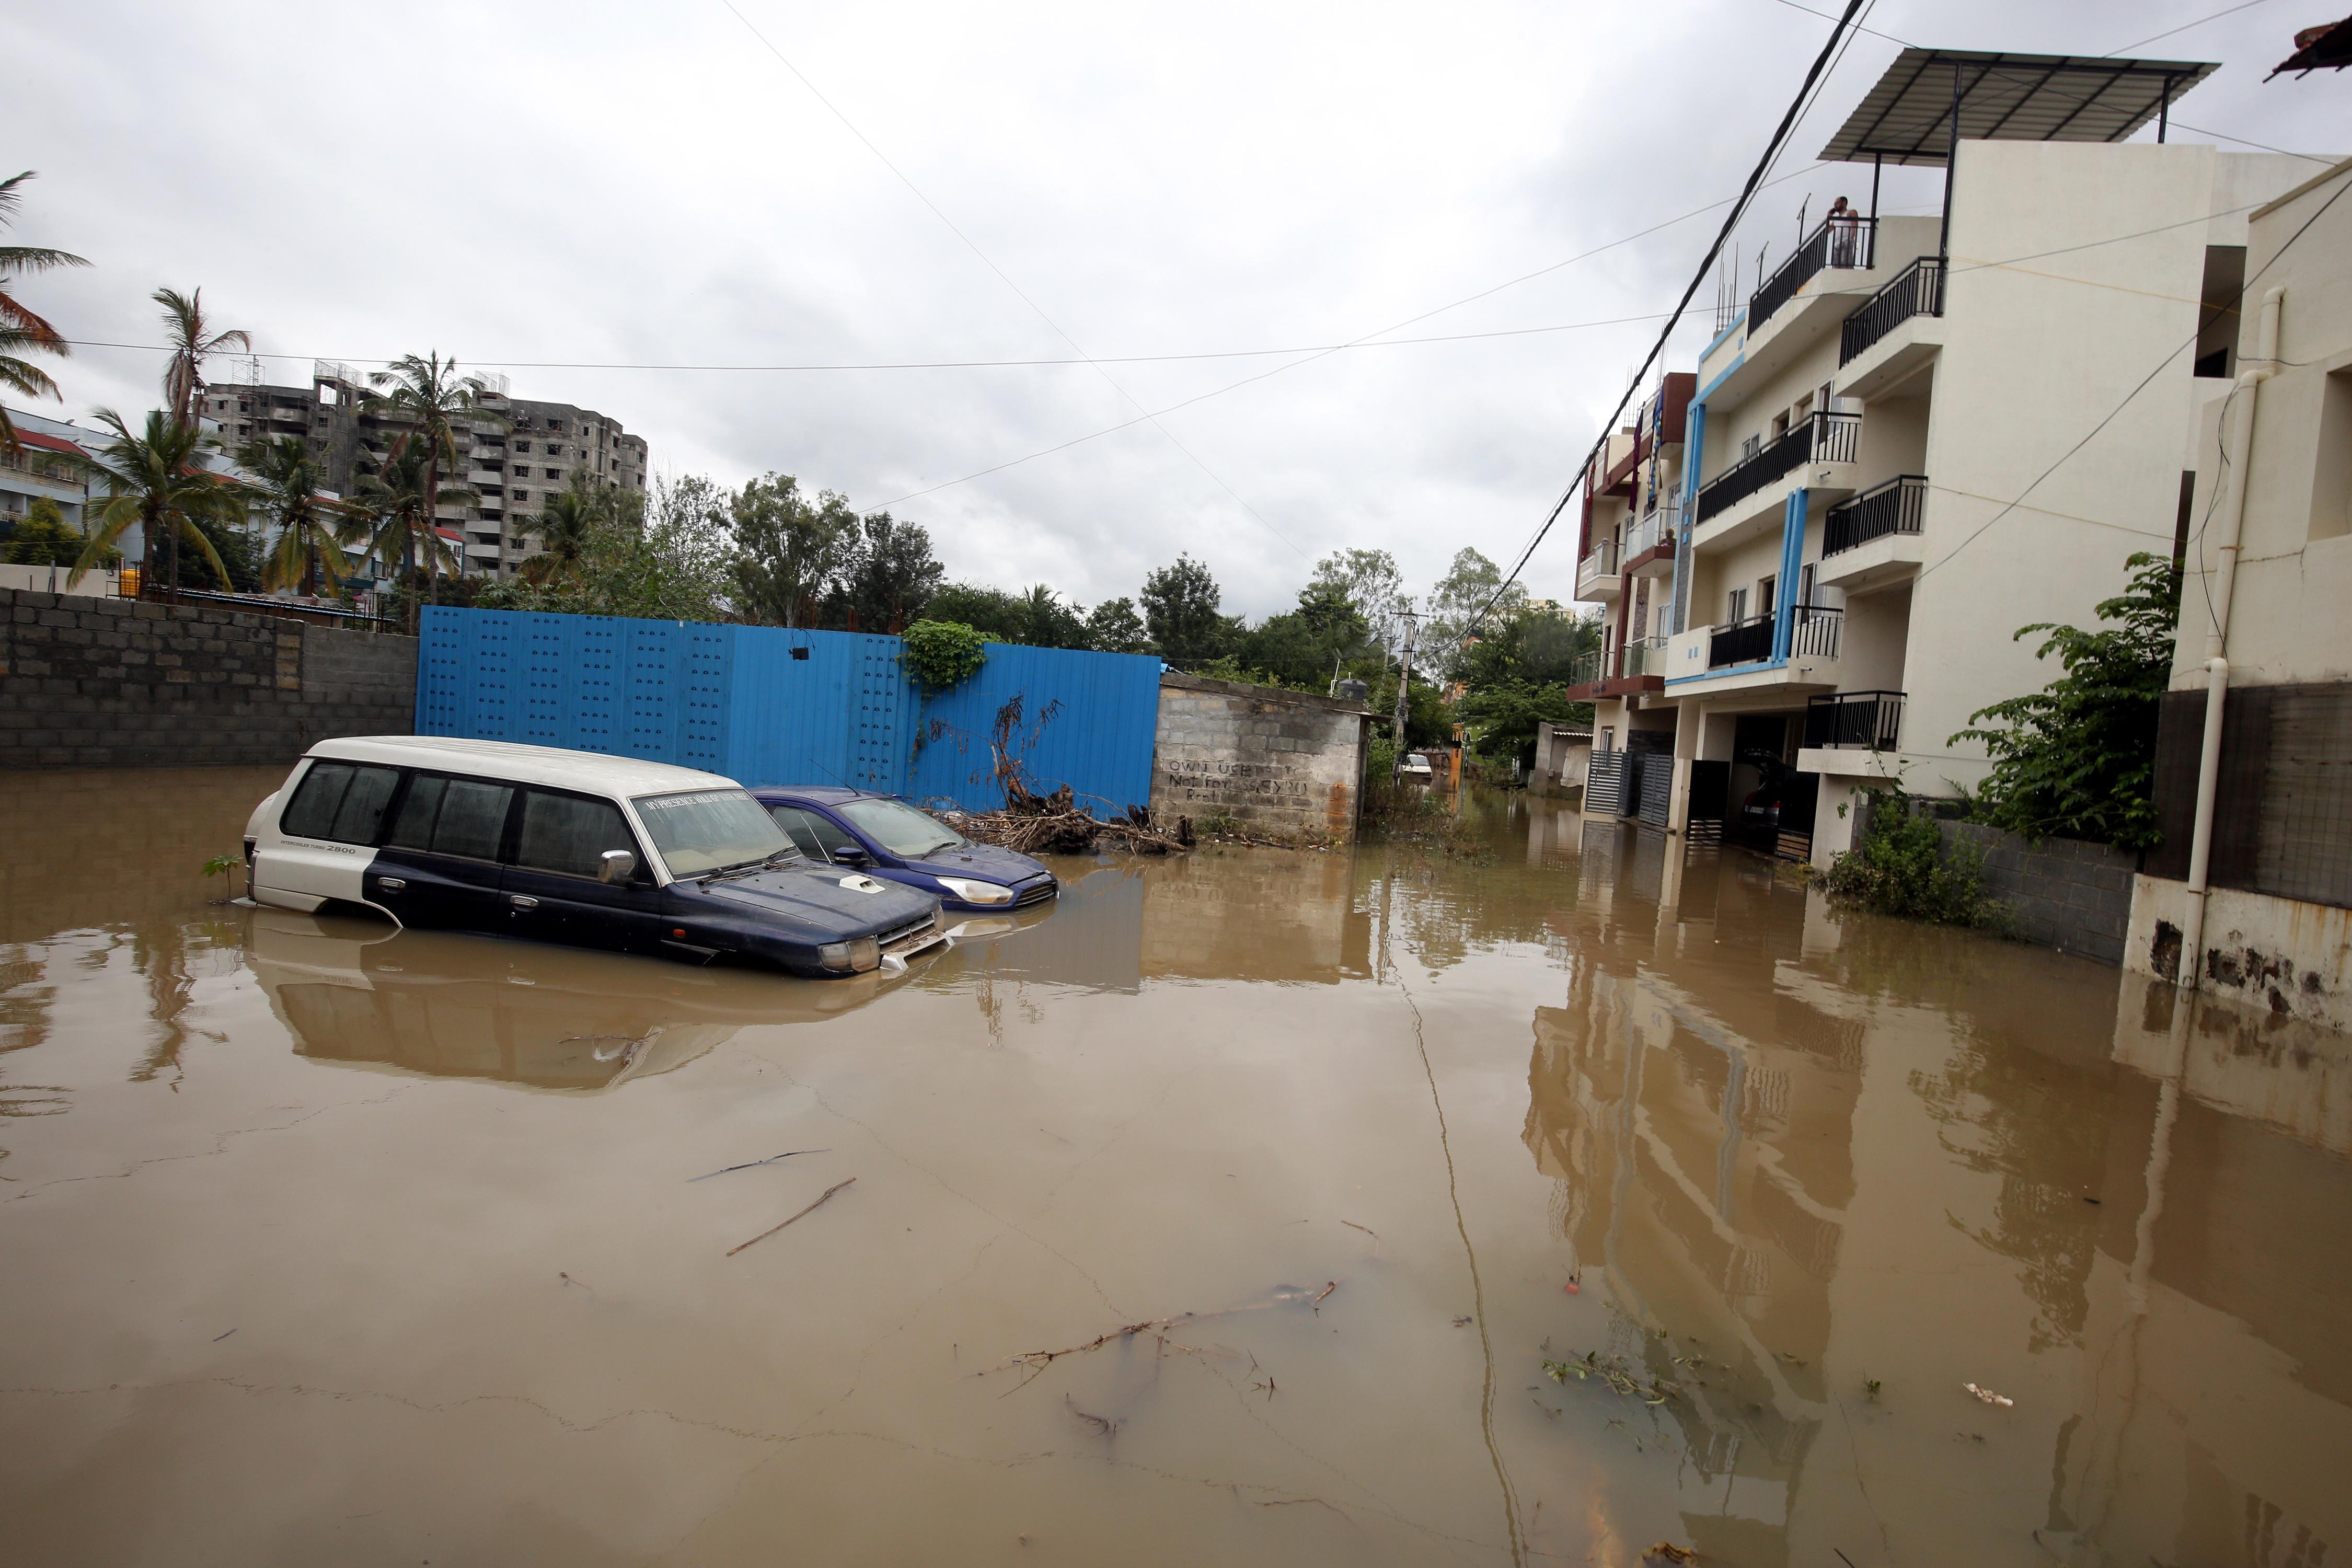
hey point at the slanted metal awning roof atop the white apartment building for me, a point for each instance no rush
(2007, 98)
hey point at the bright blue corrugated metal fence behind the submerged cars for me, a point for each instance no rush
(777, 706)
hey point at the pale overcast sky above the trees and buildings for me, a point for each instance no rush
(657, 187)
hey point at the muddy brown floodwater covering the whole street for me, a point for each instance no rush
(1384, 1209)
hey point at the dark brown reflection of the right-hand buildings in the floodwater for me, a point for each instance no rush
(1810, 1153)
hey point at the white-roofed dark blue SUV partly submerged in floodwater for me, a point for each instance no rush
(570, 847)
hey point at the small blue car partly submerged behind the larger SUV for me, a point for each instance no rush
(893, 840)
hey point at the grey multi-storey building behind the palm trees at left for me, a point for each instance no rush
(512, 467)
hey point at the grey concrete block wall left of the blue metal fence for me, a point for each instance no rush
(121, 683)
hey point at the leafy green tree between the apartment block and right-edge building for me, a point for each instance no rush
(2078, 758)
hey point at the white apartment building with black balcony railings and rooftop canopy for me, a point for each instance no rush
(1930, 431)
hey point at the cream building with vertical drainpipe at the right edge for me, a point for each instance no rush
(2250, 897)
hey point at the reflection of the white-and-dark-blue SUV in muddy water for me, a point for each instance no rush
(354, 991)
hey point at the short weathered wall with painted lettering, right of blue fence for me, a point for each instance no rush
(1281, 763)
